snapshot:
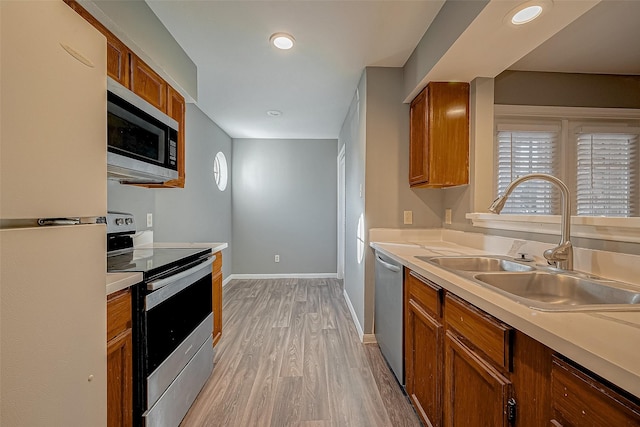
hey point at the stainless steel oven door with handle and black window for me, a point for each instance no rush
(178, 321)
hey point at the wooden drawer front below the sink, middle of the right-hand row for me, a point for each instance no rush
(479, 330)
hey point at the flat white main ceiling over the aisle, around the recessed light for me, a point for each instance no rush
(241, 77)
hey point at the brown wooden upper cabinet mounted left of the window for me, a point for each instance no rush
(439, 136)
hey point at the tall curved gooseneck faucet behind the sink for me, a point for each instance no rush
(561, 255)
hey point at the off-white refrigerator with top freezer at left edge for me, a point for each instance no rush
(52, 165)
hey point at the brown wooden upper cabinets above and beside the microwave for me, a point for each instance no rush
(131, 72)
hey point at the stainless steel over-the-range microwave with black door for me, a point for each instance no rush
(142, 141)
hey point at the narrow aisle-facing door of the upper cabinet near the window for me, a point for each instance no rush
(418, 143)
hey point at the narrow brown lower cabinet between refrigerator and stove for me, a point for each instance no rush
(119, 360)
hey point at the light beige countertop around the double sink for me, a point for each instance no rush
(607, 343)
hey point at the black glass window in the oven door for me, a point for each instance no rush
(171, 321)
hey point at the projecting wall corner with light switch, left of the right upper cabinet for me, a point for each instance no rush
(376, 138)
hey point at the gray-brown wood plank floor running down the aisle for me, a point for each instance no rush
(290, 356)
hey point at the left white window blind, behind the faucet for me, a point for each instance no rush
(525, 149)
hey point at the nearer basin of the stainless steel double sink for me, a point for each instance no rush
(563, 292)
